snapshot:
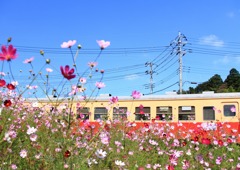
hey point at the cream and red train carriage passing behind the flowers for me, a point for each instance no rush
(207, 111)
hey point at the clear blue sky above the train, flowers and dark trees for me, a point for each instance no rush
(139, 31)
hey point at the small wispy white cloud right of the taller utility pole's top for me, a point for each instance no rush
(211, 40)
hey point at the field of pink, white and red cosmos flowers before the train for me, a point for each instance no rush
(43, 139)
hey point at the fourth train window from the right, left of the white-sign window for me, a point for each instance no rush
(164, 113)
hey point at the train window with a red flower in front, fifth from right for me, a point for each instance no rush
(142, 113)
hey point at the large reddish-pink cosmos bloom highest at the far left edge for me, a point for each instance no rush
(8, 53)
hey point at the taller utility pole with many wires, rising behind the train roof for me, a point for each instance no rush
(181, 41)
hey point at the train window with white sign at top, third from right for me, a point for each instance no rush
(186, 113)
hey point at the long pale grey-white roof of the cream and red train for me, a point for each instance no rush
(168, 96)
